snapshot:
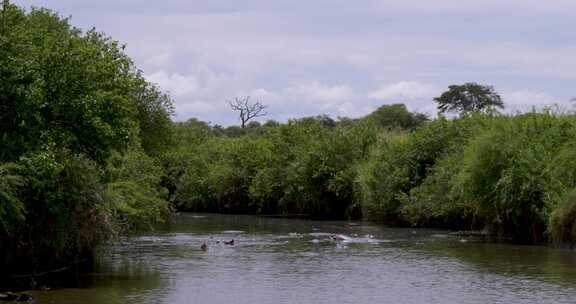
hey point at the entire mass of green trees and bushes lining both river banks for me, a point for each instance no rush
(88, 151)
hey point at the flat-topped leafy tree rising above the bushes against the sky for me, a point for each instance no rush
(467, 98)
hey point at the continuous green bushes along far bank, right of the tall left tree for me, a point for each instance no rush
(514, 176)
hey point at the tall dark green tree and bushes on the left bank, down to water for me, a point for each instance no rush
(70, 104)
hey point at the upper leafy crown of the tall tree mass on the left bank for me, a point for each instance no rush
(76, 89)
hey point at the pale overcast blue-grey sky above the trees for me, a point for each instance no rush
(339, 57)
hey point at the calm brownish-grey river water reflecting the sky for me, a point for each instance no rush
(295, 261)
